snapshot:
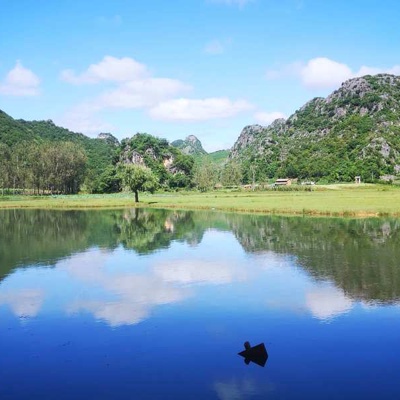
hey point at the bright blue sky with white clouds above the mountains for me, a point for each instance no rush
(175, 68)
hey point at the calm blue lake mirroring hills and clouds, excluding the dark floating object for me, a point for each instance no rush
(156, 305)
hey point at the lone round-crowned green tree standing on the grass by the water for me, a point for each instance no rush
(138, 179)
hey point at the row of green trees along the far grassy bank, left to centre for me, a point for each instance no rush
(61, 168)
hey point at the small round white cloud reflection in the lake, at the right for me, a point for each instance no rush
(326, 303)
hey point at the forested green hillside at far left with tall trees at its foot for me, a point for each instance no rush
(42, 156)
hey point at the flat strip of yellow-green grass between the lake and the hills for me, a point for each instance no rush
(332, 200)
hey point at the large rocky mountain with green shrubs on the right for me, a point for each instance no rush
(353, 131)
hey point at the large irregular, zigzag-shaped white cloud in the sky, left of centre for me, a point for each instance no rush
(132, 87)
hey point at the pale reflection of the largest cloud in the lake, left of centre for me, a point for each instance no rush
(118, 297)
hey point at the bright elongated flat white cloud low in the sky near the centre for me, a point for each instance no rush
(198, 109)
